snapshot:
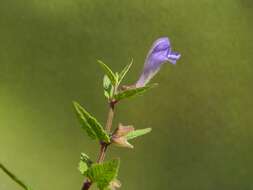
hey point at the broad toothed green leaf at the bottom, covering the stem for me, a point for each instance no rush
(103, 173)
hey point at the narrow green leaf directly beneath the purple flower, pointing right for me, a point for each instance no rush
(132, 92)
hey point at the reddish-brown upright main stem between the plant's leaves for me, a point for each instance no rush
(103, 146)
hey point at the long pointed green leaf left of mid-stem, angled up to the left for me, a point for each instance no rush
(91, 125)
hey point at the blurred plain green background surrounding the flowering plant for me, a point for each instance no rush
(201, 113)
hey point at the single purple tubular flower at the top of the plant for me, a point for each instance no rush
(159, 53)
